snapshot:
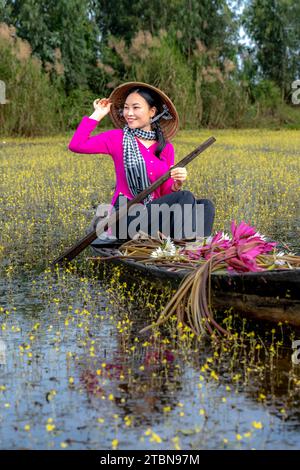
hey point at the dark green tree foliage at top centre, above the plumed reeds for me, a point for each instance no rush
(210, 21)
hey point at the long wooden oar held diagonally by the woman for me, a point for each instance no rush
(72, 252)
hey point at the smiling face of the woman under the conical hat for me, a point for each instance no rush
(137, 112)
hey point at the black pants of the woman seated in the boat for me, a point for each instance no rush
(175, 227)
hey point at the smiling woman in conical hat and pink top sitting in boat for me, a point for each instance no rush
(145, 119)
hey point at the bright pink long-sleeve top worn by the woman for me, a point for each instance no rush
(111, 143)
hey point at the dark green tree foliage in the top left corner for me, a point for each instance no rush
(57, 29)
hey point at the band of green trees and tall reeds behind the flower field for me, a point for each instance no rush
(56, 57)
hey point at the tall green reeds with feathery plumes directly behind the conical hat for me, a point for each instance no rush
(203, 89)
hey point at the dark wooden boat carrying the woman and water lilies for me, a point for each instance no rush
(270, 295)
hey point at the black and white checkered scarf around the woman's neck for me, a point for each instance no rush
(134, 163)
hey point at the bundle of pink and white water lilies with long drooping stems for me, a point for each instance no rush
(246, 250)
